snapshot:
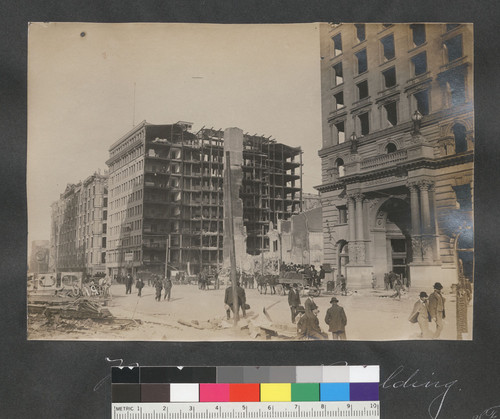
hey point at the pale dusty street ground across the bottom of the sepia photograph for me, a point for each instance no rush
(196, 315)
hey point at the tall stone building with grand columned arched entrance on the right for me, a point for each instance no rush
(397, 154)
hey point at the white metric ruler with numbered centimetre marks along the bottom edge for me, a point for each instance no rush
(251, 410)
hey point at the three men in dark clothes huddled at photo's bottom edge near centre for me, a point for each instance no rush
(308, 325)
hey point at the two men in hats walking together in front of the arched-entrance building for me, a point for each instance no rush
(429, 309)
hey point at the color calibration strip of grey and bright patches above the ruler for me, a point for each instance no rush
(245, 384)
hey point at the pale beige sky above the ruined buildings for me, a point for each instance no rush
(89, 84)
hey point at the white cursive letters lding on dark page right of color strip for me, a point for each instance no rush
(396, 381)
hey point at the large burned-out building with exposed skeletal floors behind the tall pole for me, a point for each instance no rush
(166, 196)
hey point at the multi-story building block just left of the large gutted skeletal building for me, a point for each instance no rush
(78, 229)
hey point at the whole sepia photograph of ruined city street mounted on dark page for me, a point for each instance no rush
(207, 182)
